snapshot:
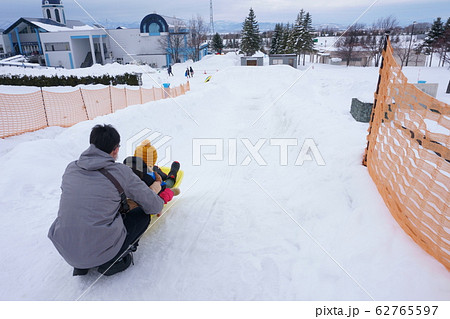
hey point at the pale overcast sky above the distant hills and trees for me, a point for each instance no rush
(342, 12)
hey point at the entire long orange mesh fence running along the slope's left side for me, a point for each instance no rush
(20, 113)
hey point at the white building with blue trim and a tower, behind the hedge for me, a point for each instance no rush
(58, 42)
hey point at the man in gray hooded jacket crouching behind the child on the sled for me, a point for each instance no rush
(89, 231)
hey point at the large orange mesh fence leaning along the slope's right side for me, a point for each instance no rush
(408, 158)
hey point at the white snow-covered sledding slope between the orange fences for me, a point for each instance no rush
(237, 232)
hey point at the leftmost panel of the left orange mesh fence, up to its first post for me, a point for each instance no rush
(20, 113)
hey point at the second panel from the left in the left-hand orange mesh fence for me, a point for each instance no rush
(64, 109)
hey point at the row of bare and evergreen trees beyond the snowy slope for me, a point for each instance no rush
(298, 38)
